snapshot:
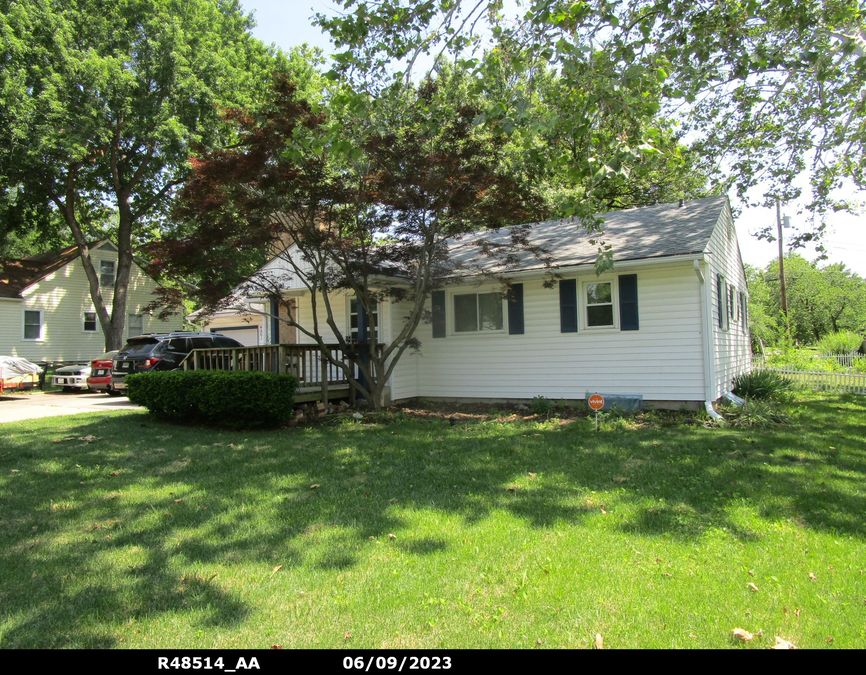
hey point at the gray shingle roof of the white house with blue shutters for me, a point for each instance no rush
(635, 234)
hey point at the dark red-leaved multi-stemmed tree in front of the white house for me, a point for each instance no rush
(361, 201)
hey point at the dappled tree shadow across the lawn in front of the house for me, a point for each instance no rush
(115, 529)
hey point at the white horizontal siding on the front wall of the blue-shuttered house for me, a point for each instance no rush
(661, 361)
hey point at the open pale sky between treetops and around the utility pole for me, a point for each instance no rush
(288, 23)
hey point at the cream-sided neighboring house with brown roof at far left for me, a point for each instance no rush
(47, 314)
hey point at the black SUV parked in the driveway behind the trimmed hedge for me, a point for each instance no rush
(145, 353)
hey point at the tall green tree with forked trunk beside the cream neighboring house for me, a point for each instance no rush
(100, 104)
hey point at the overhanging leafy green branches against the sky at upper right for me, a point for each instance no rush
(772, 90)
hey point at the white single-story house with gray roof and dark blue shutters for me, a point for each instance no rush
(668, 323)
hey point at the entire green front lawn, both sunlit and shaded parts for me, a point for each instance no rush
(505, 534)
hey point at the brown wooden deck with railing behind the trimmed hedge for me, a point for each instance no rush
(318, 377)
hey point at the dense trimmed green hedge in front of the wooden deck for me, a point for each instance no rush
(234, 399)
